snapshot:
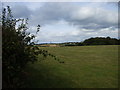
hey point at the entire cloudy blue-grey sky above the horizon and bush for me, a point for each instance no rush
(68, 21)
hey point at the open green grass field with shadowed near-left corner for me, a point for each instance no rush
(84, 67)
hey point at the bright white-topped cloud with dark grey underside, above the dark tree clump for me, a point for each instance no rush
(99, 19)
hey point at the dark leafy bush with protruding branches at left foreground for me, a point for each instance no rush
(18, 49)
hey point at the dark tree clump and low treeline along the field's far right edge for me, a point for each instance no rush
(95, 41)
